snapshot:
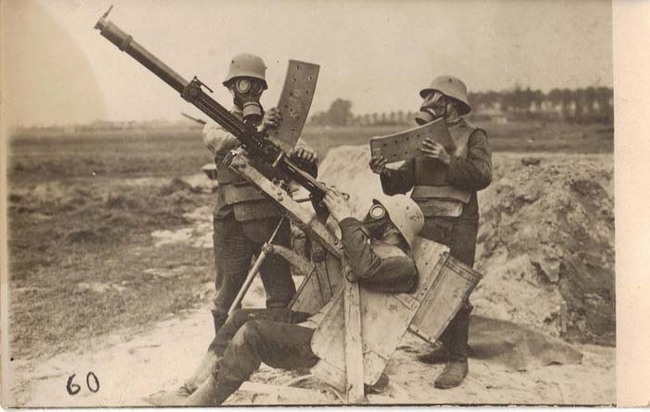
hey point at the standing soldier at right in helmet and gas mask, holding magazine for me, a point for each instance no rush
(444, 186)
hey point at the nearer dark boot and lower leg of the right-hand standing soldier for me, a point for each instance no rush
(457, 368)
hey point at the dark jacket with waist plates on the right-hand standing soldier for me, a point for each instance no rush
(446, 191)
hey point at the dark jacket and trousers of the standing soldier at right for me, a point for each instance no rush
(447, 197)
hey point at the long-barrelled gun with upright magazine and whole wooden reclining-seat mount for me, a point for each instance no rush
(351, 356)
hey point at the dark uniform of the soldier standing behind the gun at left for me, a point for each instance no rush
(243, 220)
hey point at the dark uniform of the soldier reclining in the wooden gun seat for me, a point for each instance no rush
(280, 337)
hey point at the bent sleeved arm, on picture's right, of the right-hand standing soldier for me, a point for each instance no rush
(475, 171)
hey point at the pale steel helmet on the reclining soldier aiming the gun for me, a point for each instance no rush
(404, 213)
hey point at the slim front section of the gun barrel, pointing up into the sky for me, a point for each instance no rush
(125, 42)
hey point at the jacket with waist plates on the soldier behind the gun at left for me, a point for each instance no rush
(234, 194)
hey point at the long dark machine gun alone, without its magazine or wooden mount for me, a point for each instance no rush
(257, 144)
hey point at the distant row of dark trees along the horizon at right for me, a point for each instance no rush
(584, 105)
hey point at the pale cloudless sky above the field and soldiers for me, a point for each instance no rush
(379, 54)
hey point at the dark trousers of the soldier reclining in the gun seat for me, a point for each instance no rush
(253, 336)
